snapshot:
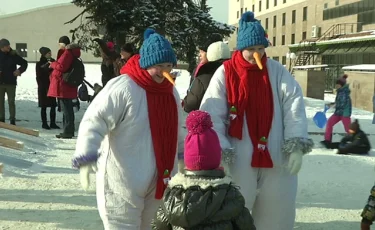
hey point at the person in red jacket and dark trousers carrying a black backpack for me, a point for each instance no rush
(62, 90)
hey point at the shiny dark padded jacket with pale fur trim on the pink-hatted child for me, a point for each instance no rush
(203, 200)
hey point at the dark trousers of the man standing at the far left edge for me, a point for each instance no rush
(10, 90)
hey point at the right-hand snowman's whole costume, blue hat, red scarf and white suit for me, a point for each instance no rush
(264, 159)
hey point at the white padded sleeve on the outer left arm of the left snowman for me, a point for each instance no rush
(104, 113)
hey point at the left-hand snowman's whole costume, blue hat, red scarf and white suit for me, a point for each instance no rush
(133, 143)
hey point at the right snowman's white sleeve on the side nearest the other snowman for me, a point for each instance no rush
(215, 103)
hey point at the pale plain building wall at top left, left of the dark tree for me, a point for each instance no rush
(41, 27)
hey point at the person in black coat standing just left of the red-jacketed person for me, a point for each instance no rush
(42, 77)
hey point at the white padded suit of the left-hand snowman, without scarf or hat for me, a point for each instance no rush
(117, 123)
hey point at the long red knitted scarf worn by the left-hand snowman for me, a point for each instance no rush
(163, 117)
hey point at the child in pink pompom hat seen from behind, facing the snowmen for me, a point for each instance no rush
(203, 196)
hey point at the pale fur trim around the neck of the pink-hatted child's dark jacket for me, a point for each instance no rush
(187, 181)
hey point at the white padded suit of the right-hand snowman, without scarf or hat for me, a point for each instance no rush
(274, 206)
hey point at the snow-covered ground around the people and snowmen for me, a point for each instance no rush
(39, 190)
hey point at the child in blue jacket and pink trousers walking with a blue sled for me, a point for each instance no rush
(343, 109)
